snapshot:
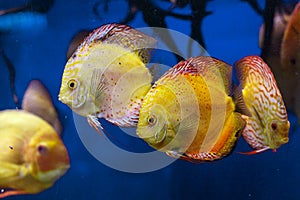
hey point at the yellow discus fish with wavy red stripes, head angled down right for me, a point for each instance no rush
(268, 126)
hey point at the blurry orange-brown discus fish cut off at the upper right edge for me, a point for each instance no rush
(290, 47)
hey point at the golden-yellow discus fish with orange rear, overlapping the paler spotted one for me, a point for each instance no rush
(188, 112)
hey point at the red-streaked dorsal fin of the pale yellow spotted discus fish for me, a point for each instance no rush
(124, 36)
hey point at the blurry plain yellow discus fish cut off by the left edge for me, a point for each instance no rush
(32, 155)
